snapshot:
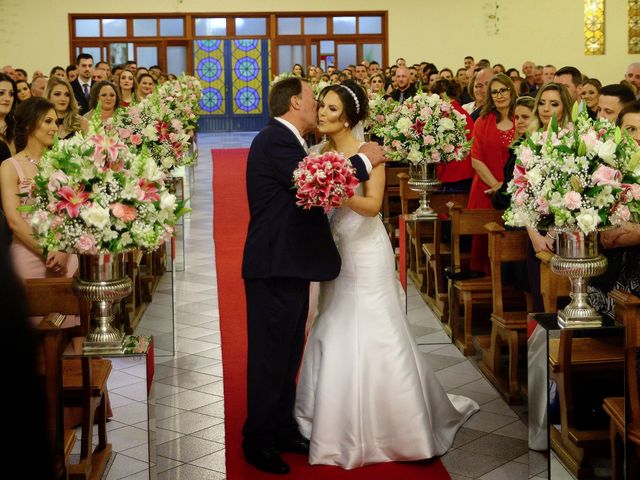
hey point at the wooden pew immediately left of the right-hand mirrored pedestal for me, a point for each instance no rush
(508, 327)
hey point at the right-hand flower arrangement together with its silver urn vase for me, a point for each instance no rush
(576, 181)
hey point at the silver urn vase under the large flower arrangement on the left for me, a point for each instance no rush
(101, 284)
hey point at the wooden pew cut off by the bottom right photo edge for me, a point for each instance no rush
(626, 435)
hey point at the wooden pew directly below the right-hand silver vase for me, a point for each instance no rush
(576, 361)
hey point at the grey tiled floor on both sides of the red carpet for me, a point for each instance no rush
(188, 385)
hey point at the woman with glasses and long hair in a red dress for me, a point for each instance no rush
(492, 134)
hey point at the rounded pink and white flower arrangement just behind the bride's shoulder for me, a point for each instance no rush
(425, 128)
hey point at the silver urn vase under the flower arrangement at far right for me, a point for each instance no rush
(577, 257)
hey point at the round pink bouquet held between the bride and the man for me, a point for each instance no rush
(324, 180)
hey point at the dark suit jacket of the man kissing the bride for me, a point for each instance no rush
(283, 239)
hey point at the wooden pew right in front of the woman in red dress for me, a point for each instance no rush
(468, 293)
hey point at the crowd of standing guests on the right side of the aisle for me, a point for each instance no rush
(502, 105)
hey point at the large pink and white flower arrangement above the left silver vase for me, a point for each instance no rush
(93, 195)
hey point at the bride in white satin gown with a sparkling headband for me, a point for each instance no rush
(365, 393)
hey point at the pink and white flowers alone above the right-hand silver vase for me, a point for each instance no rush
(582, 177)
